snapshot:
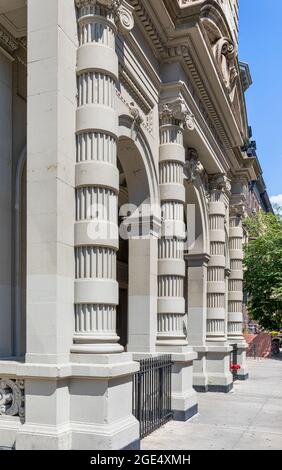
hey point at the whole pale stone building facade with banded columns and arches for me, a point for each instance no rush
(130, 107)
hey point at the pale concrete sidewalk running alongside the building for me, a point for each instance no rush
(250, 417)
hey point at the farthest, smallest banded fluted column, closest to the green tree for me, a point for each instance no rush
(235, 287)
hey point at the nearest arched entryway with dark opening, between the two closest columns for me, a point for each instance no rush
(138, 201)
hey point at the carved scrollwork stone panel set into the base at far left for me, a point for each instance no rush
(12, 397)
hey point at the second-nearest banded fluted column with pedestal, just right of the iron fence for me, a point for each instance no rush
(171, 336)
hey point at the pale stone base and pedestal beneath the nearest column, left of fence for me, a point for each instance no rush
(74, 406)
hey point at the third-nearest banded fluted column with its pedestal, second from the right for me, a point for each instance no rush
(219, 376)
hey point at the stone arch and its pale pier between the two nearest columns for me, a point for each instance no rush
(136, 159)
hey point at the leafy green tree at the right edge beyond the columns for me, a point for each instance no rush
(263, 268)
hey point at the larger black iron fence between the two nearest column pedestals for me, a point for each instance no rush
(152, 393)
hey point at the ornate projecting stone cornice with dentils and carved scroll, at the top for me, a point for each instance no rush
(189, 32)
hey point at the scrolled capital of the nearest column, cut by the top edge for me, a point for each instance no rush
(122, 11)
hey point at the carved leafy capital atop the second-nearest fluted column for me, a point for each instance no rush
(177, 112)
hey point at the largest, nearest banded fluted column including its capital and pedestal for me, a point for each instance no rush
(101, 417)
